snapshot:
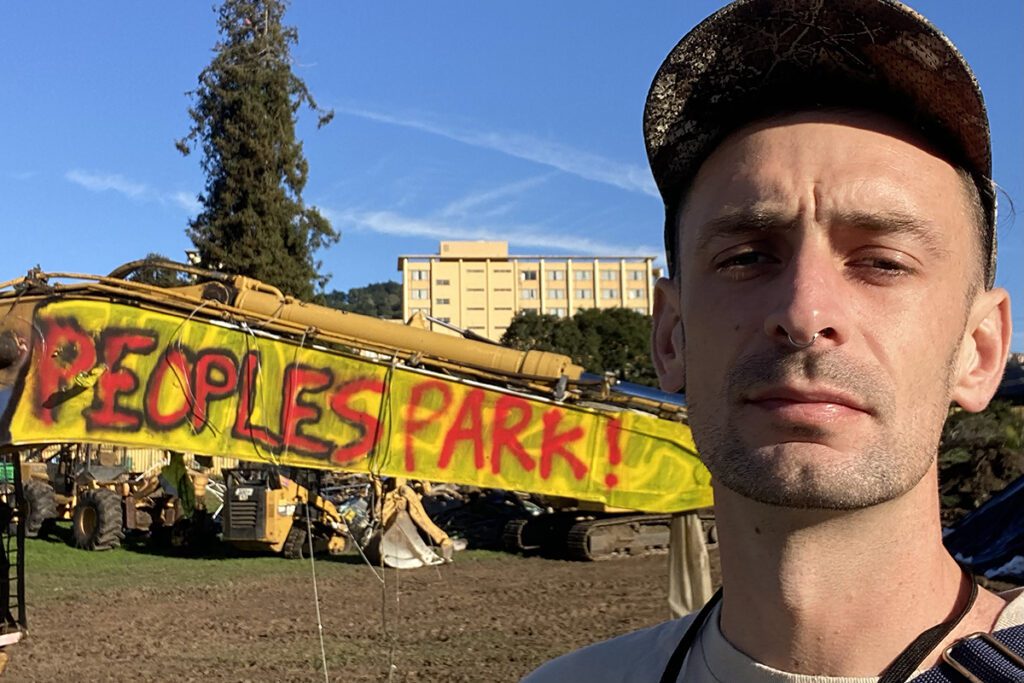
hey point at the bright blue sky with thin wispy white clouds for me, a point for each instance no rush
(455, 120)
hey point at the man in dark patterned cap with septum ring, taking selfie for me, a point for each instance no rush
(826, 169)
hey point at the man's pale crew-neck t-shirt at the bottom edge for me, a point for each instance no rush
(642, 657)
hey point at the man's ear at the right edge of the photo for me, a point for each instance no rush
(984, 352)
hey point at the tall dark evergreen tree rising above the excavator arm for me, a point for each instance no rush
(244, 112)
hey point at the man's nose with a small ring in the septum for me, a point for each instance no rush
(809, 303)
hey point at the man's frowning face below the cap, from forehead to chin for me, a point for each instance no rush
(835, 225)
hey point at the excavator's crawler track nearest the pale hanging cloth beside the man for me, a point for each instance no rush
(625, 536)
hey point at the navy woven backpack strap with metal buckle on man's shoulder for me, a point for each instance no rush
(982, 658)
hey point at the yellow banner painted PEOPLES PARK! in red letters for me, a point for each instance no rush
(117, 374)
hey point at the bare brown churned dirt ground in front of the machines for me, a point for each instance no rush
(488, 617)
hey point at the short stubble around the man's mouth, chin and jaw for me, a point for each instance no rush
(797, 471)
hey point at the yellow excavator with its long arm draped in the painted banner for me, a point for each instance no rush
(229, 366)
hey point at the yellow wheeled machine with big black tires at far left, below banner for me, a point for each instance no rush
(84, 484)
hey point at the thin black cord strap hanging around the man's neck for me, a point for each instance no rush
(899, 672)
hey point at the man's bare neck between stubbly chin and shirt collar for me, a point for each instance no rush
(839, 593)
